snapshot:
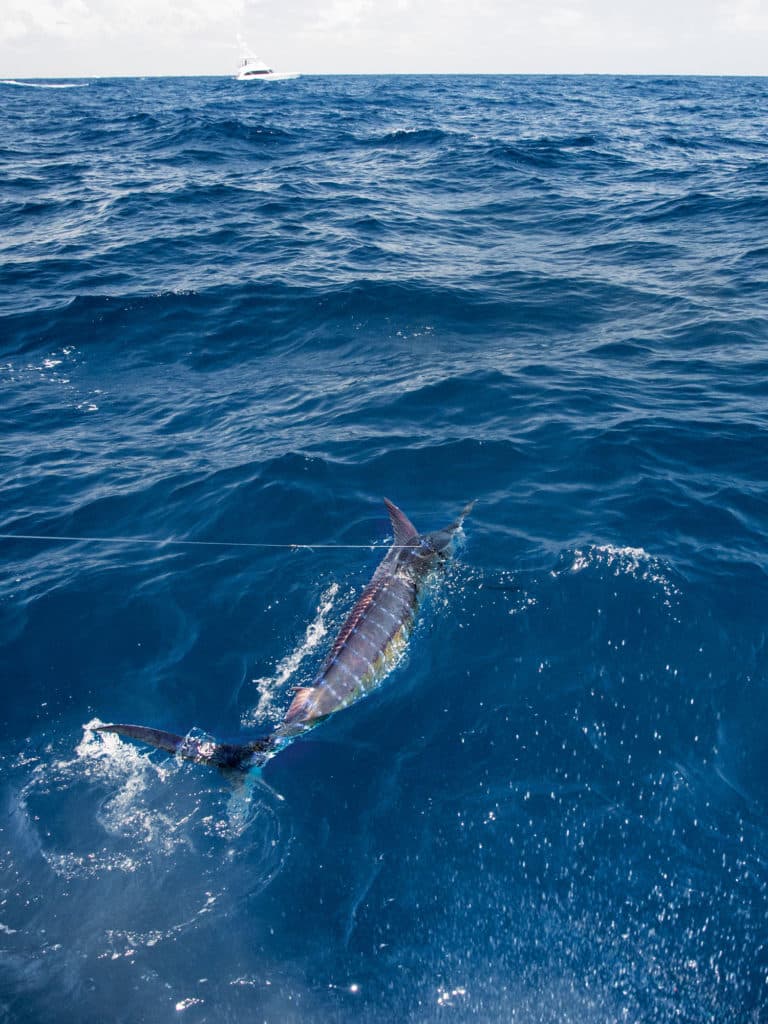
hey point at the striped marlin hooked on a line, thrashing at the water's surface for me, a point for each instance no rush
(367, 648)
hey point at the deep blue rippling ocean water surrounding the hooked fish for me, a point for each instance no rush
(245, 313)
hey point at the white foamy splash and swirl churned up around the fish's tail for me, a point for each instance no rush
(130, 820)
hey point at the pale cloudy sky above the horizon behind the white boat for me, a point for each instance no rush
(50, 38)
